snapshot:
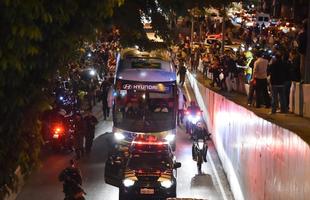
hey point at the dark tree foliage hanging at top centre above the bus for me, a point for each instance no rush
(128, 18)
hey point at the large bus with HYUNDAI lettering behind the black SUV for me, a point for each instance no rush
(145, 96)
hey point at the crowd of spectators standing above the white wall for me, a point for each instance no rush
(264, 65)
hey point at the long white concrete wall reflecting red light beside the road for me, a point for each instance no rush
(262, 161)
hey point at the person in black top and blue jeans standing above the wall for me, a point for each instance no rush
(278, 73)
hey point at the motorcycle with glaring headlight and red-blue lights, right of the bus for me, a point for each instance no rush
(193, 114)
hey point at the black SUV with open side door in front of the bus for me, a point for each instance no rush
(147, 171)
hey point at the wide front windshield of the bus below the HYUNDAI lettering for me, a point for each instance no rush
(143, 110)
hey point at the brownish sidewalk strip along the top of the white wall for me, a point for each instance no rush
(292, 122)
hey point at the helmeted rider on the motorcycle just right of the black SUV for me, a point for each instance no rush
(200, 132)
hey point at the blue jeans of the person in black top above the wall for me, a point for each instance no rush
(278, 91)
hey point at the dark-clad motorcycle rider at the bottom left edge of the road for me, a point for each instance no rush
(72, 181)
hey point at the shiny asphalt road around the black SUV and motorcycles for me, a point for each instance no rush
(43, 184)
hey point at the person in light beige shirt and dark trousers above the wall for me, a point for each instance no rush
(260, 76)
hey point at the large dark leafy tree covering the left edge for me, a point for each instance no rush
(37, 37)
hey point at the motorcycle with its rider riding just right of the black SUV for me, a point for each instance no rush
(200, 147)
